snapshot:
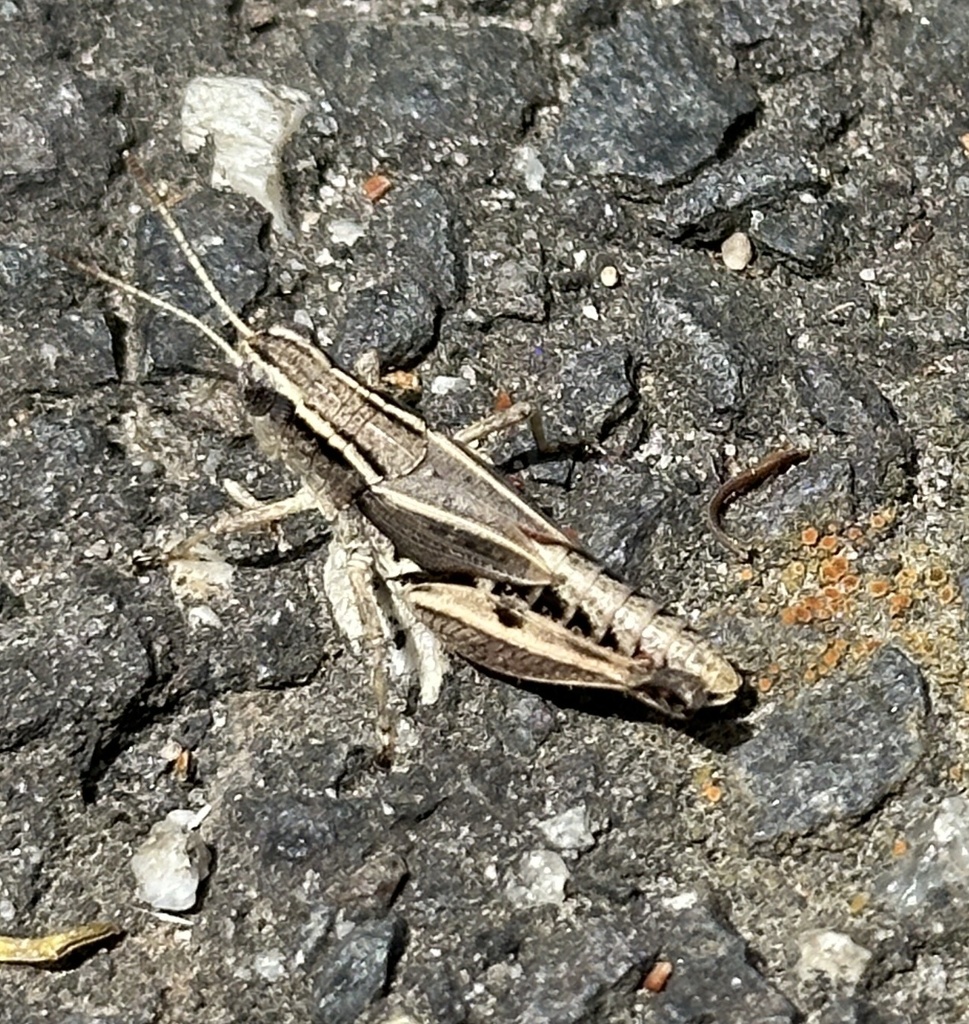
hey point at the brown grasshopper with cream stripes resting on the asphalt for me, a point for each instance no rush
(503, 586)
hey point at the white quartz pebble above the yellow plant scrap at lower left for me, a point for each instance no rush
(173, 863)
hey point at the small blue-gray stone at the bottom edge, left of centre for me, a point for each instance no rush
(357, 972)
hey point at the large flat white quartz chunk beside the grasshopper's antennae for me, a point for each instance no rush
(249, 124)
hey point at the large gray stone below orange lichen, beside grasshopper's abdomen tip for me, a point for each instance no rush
(838, 751)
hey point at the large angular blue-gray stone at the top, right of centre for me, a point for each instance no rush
(649, 109)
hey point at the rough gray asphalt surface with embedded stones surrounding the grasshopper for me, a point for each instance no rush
(529, 145)
